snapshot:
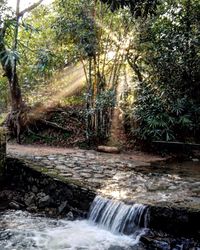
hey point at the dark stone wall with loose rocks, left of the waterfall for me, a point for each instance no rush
(40, 192)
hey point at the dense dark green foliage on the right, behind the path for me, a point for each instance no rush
(167, 104)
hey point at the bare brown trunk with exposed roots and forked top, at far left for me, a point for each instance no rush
(17, 118)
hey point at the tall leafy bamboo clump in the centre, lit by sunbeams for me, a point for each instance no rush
(98, 38)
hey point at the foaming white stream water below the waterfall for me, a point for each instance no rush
(23, 231)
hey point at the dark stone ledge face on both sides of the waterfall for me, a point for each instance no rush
(64, 195)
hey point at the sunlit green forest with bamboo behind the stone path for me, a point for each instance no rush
(120, 72)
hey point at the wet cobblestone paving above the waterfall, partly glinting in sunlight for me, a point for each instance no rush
(124, 178)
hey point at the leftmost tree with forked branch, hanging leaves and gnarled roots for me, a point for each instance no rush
(9, 24)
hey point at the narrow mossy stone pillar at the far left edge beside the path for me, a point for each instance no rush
(2, 151)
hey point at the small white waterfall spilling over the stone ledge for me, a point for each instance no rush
(117, 216)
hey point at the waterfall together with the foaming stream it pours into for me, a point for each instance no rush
(104, 230)
